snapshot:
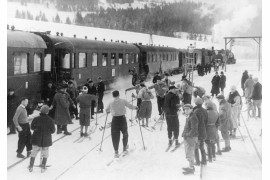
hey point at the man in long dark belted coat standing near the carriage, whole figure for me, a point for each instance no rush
(62, 102)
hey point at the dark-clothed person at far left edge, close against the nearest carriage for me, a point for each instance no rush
(12, 104)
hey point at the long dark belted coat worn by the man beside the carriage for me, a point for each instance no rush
(61, 102)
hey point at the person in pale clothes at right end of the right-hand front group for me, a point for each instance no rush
(235, 101)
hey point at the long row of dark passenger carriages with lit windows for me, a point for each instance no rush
(34, 58)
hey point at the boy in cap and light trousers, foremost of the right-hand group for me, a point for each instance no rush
(190, 135)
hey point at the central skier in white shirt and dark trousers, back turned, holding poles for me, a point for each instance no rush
(119, 123)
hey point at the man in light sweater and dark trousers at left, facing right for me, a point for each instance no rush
(21, 122)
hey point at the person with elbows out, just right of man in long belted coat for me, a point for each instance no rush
(85, 102)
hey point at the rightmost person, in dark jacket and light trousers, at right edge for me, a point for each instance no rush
(257, 96)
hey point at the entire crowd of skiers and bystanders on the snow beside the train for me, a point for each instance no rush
(203, 120)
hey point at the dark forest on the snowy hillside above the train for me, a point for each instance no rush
(164, 19)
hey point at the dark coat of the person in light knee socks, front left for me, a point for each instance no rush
(43, 127)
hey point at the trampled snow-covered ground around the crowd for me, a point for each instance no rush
(71, 160)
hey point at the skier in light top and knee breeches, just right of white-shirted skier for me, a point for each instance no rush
(146, 107)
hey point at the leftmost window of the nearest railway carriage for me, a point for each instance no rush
(20, 63)
